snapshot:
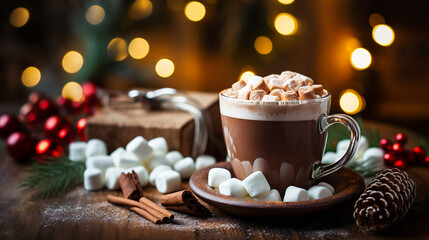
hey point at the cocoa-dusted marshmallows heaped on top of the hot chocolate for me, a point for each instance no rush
(287, 86)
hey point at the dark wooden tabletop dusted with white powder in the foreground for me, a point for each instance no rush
(86, 215)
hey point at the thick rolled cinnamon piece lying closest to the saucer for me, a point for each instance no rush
(184, 201)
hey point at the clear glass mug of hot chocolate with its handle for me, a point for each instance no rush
(283, 139)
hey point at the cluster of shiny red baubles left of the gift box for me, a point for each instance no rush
(42, 118)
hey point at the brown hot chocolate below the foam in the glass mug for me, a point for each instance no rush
(284, 151)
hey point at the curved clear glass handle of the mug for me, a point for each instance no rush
(325, 121)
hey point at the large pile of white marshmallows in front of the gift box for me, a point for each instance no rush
(150, 160)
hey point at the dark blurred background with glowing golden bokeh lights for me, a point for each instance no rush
(371, 55)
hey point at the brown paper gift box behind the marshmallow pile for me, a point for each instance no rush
(122, 120)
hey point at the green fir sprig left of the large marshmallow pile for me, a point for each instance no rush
(53, 177)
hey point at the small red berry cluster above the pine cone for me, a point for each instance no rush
(395, 153)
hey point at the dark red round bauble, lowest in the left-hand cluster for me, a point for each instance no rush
(19, 145)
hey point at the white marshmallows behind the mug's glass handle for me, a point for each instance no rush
(366, 160)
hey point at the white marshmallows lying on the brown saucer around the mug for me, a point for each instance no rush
(256, 187)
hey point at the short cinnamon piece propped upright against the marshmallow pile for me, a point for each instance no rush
(130, 185)
